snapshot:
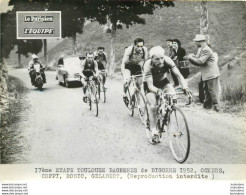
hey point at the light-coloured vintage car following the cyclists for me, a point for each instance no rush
(68, 70)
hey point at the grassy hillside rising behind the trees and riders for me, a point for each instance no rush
(227, 27)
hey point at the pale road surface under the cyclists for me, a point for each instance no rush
(57, 127)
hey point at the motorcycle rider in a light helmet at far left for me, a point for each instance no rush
(32, 73)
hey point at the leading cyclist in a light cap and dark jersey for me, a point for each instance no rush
(155, 70)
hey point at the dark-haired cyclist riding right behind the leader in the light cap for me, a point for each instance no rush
(132, 63)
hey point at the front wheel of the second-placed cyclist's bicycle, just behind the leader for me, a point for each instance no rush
(141, 107)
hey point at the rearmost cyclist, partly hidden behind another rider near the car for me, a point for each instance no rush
(101, 58)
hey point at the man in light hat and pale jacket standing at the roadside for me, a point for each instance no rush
(208, 62)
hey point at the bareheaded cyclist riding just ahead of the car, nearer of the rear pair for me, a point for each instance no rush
(89, 68)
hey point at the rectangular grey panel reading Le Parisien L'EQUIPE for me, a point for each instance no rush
(38, 24)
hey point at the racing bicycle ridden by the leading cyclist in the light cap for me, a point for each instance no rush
(172, 120)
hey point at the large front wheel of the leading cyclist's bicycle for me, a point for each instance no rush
(178, 134)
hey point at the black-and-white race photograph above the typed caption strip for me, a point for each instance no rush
(117, 82)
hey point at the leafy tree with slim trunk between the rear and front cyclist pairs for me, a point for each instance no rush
(124, 12)
